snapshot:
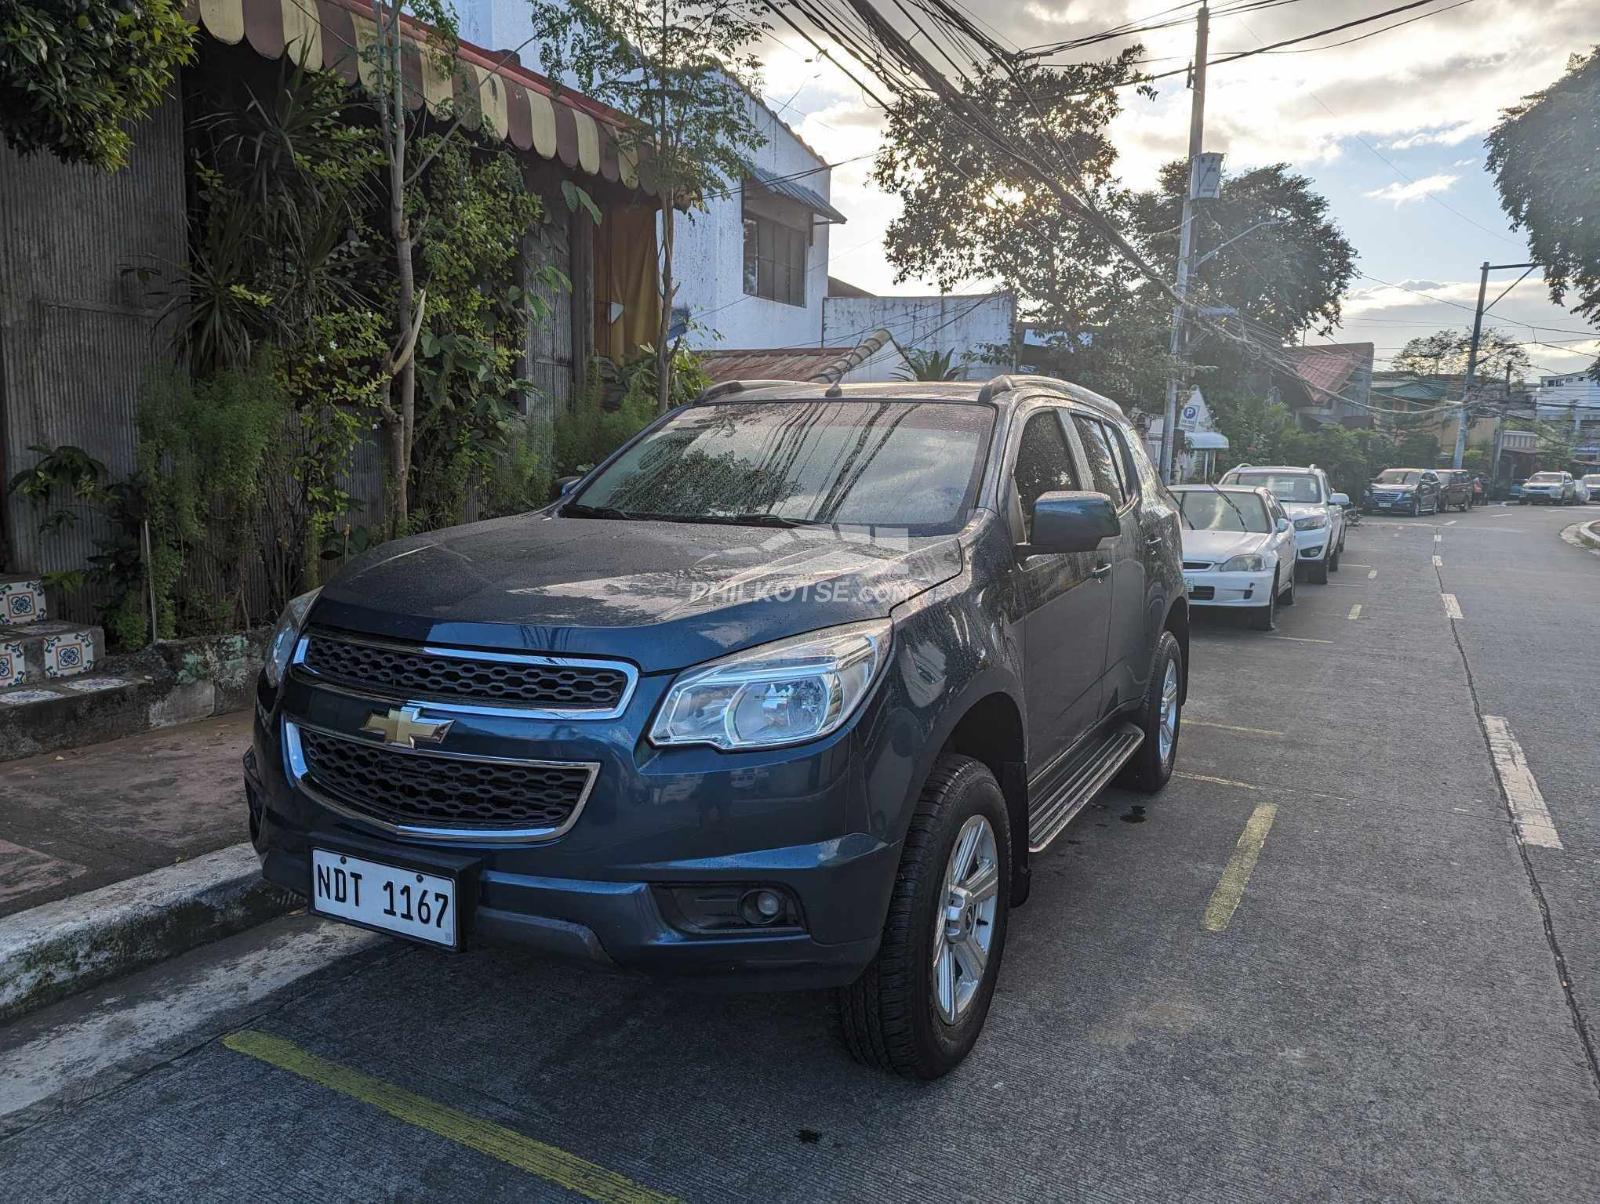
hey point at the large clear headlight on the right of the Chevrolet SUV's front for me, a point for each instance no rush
(778, 694)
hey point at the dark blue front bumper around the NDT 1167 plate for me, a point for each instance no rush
(657, 824)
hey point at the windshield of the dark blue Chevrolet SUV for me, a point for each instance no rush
(913, 465)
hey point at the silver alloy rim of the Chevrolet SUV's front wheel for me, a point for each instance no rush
(966, 926)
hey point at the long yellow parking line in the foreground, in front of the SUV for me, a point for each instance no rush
(546, 1162)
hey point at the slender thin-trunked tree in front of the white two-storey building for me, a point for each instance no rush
(684, 73)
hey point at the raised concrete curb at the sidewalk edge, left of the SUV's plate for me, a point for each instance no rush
(60, 949)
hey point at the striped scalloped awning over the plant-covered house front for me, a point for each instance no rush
(519, 105)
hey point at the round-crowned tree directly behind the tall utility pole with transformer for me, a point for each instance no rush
(1266, 247)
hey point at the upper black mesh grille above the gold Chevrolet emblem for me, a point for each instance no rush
(418, 673)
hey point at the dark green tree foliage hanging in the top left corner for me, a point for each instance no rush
(74, 74)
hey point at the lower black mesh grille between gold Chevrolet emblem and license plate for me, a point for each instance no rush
(442, 792)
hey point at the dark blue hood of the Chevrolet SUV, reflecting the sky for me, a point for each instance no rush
(662, 595)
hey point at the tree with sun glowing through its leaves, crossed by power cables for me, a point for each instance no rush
(975, 212)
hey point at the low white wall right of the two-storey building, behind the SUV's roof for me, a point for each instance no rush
(964, 326)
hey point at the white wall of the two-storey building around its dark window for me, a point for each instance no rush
(710, 247)
